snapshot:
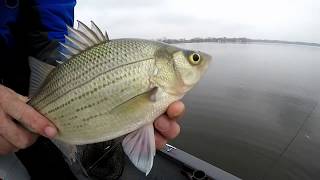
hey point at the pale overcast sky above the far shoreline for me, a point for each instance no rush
(294, 20)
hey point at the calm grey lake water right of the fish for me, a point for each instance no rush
(255, 112)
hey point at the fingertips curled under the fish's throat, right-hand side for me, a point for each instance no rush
(166, 126)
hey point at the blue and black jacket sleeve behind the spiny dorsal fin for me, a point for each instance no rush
(46, 24)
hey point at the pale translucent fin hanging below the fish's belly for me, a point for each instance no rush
(140, 147)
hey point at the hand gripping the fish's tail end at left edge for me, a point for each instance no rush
(13, 136)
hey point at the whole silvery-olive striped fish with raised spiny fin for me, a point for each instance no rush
(104, 89)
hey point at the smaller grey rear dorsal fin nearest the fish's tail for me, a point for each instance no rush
(39, 72)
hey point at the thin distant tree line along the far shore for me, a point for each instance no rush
(233, 40)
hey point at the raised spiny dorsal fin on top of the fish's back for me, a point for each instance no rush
(80, 39)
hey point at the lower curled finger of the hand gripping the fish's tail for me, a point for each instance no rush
(15, 134)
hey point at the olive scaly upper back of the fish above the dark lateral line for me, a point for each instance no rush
(102, 57)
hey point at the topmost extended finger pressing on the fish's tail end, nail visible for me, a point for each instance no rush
(28, 116)
